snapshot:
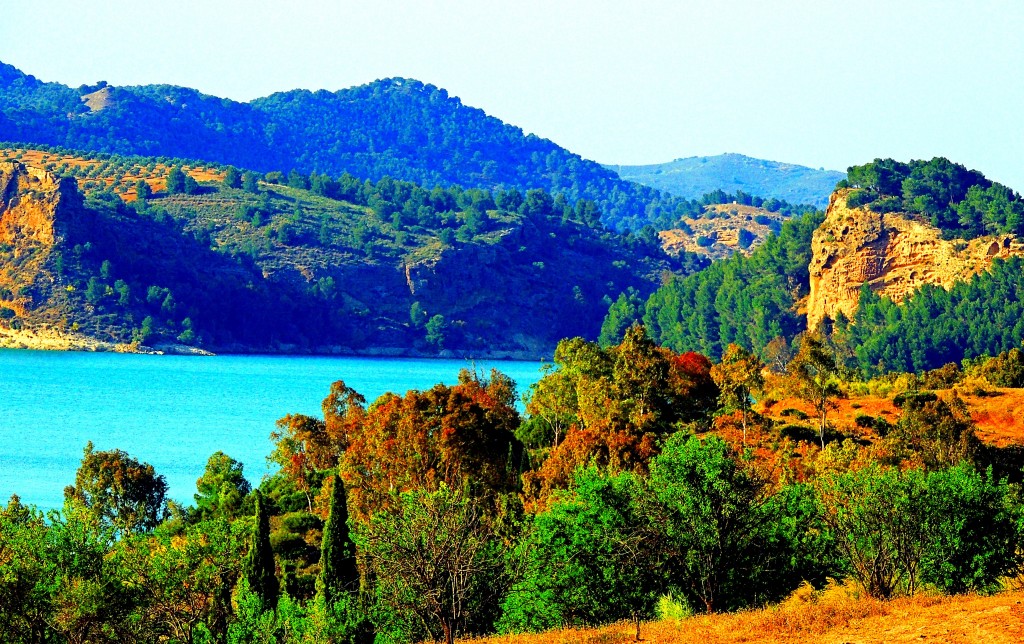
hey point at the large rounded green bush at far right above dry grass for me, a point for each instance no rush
(950, 529)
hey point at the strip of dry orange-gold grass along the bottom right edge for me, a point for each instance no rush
(836, 616)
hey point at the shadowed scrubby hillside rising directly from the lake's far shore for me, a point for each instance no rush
(297, 266)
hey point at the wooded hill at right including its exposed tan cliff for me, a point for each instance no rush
(917, 264)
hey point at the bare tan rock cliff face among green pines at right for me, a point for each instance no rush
(892, 253)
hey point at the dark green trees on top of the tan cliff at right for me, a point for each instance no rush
(960, 202)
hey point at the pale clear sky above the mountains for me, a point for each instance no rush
(821, 83)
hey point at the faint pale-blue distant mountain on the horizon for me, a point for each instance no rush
(695, 177)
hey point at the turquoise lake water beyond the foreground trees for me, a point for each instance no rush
(175, 412)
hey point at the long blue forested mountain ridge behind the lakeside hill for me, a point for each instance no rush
(396, 127)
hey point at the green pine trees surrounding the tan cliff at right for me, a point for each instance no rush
(754, 302)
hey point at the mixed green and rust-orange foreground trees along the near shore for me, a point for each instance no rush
(638, 483)
